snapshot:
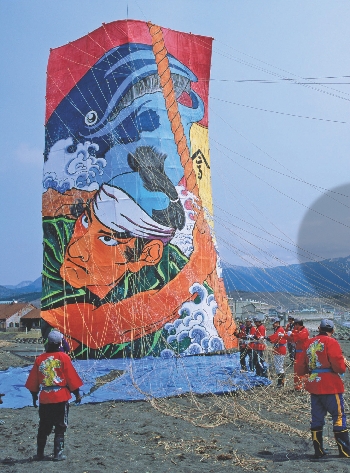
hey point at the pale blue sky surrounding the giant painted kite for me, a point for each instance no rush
(279, 140)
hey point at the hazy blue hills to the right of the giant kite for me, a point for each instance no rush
(331, 276)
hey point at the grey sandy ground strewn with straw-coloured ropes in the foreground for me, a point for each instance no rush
(262, 430)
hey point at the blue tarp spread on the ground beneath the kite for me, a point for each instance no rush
(143, 378)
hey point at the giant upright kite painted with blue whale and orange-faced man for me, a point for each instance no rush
(130, 262)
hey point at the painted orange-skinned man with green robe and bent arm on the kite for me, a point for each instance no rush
(120, 279)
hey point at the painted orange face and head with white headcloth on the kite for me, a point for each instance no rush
(112, 237)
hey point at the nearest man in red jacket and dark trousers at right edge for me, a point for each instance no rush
(324, 362)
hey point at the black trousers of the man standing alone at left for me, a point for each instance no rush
(53, 415)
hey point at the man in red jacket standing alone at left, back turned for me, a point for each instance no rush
(53, 377)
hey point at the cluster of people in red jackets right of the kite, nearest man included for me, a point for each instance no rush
(319, 365)
